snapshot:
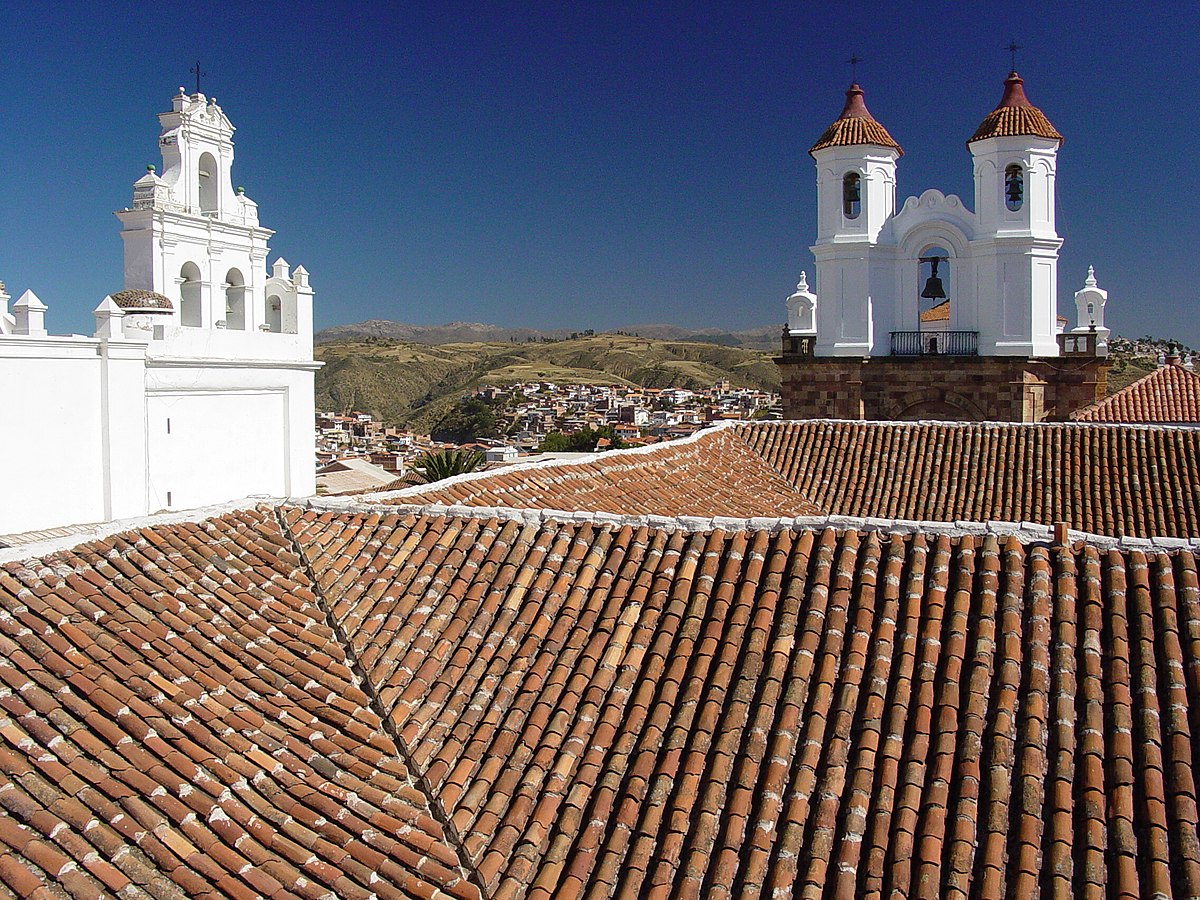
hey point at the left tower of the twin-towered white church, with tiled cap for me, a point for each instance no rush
(856, 161)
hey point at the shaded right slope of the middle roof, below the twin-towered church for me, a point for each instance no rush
(1105, 479)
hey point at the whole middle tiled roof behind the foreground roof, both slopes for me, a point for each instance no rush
(1102, 479)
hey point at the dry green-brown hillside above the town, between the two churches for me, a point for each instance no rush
(413, 385)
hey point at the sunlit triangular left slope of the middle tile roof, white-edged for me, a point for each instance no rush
(712, 476)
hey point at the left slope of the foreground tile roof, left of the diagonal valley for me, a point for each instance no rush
(181, 719)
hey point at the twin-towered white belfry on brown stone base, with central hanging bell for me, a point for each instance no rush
(932, 310)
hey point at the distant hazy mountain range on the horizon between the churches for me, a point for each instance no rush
(757, 339)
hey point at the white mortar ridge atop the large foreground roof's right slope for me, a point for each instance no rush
(1028, 533)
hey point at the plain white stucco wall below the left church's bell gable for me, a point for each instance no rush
(85, 440)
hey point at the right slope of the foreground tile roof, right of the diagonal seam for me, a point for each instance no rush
(628, 712)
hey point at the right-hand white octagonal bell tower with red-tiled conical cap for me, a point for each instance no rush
(1016, 245)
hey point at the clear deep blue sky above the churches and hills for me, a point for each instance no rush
(587, 165)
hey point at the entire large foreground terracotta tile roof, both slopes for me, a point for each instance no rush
(413, 704)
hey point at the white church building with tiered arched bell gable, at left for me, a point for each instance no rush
(197, 385)
